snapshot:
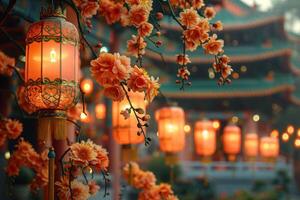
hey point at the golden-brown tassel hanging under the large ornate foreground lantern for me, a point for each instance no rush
(52, 127)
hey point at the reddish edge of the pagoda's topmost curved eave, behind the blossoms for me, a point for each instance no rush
(241, 25)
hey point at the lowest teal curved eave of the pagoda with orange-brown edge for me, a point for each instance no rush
(201, 90)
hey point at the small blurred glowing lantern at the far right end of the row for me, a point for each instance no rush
(269, 147)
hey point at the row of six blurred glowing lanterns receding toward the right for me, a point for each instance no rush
(171, 134)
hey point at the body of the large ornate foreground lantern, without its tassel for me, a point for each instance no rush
(52, 96)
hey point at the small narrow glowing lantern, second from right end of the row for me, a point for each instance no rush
(251, 145)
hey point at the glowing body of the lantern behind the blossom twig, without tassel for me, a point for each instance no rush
(125, 130)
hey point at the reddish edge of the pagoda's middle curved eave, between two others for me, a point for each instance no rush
(233, 58)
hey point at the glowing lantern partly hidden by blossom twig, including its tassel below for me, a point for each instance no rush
(125, 130)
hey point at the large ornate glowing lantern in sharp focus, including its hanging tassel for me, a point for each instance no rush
(51, 70)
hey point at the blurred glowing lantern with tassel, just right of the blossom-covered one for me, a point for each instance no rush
(171, 133)
